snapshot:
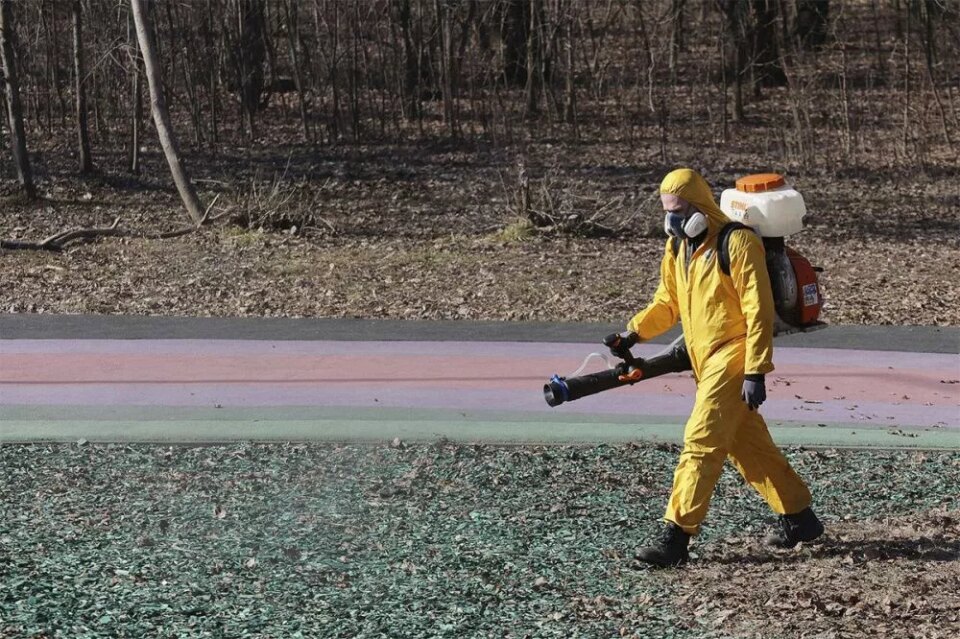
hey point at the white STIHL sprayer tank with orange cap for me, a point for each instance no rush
(765, 203)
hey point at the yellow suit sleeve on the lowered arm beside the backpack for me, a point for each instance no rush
(748, 270)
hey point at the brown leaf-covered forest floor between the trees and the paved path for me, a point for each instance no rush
(429, 231)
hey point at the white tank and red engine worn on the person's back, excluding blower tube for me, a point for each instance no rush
(775, 211)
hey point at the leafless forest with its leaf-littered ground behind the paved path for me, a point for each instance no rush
(471, 159)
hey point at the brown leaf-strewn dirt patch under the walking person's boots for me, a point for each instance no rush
(894, 577)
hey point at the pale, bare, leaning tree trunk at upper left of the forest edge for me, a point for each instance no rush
(161, 117)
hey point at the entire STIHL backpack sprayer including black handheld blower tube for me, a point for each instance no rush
(774, 211)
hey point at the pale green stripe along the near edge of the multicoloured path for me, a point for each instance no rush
(188, 425)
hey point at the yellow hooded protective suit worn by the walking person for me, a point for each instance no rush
(728, 327)
